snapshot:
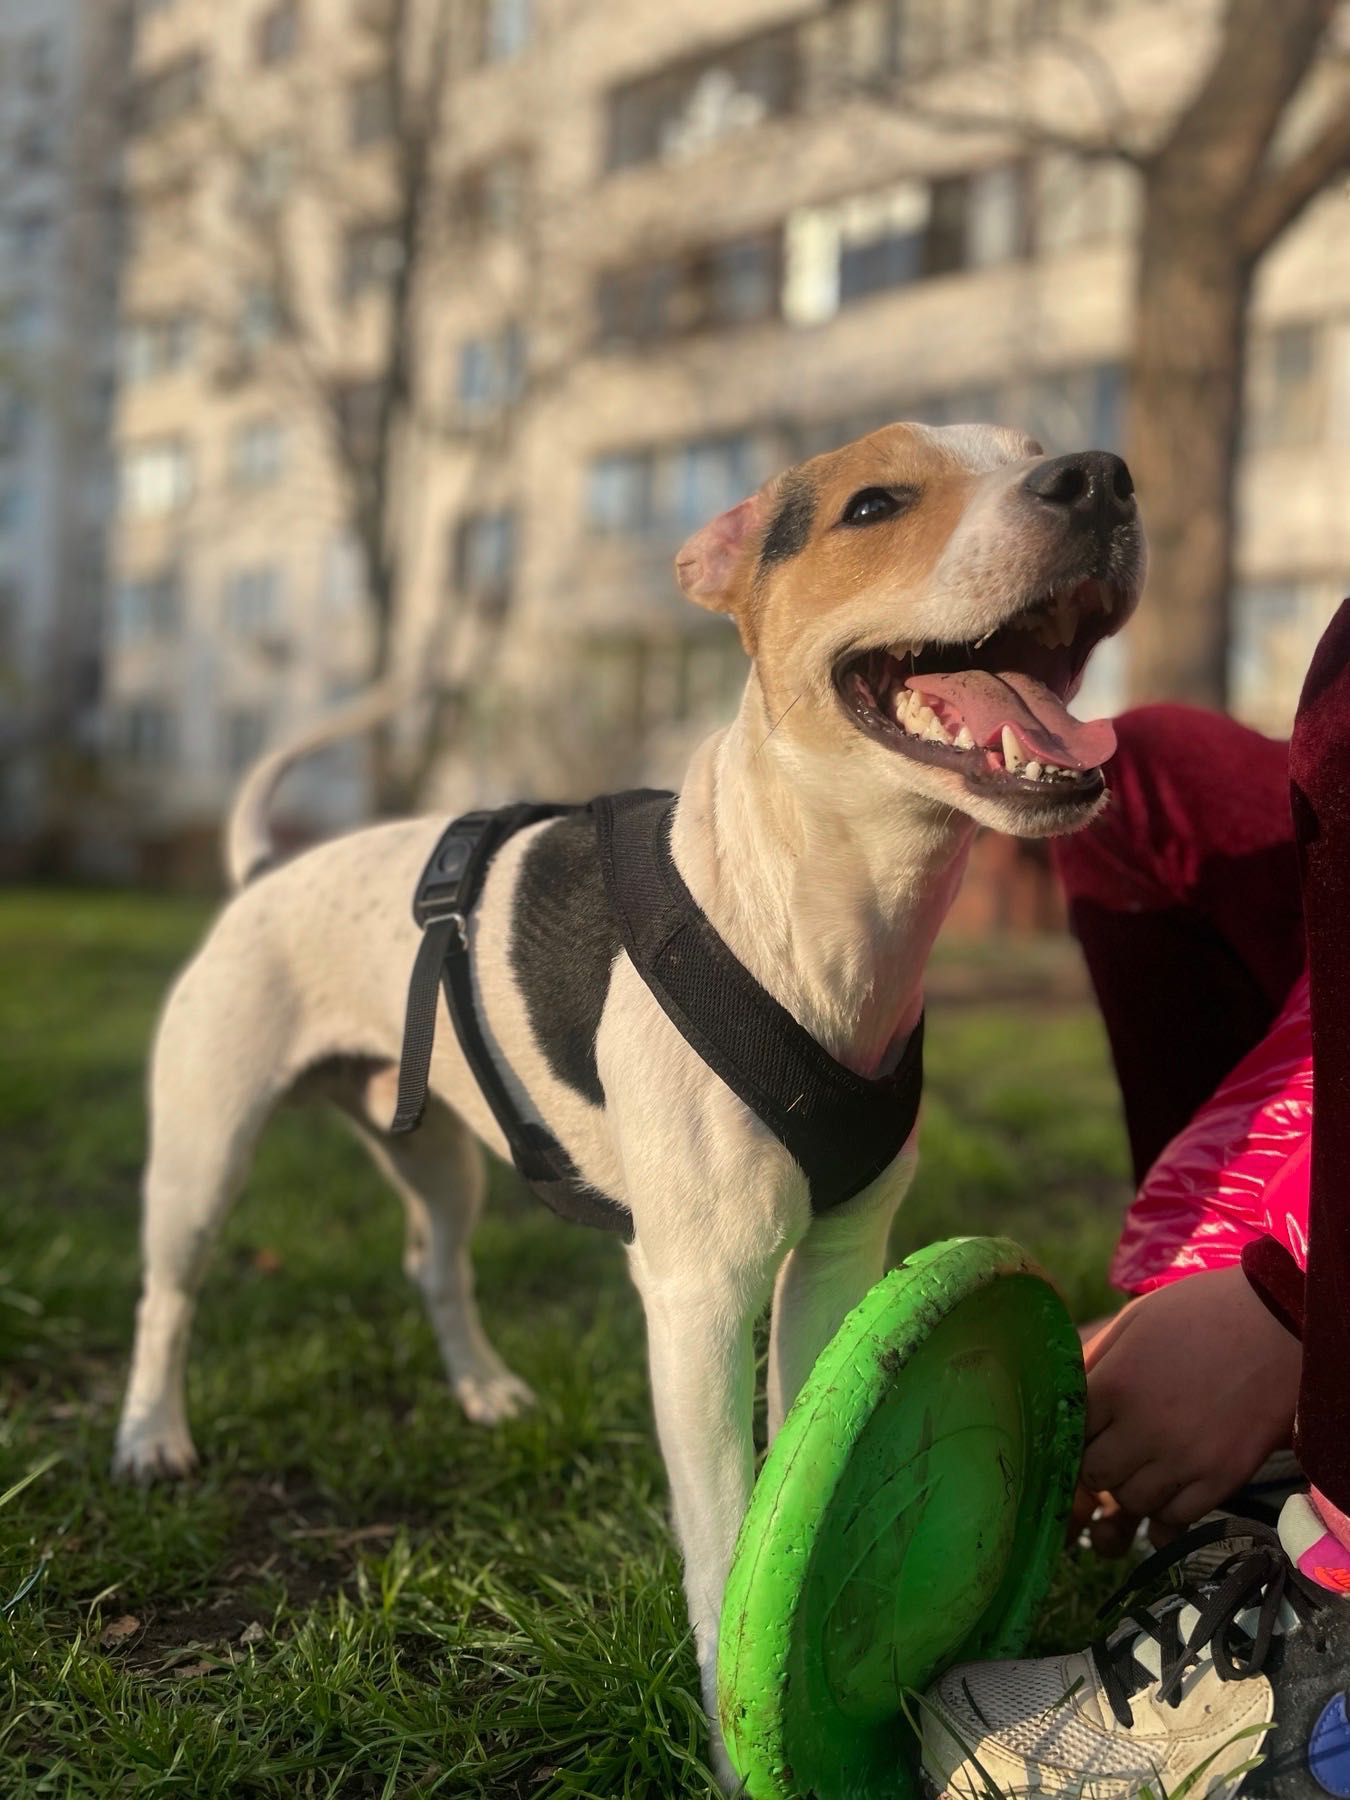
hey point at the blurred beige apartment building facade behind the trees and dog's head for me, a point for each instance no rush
(681, 249)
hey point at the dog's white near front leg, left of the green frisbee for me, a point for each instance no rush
(703, 1385)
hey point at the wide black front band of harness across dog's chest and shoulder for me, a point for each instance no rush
(841, 1128)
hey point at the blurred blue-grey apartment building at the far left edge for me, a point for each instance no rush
(60, 67)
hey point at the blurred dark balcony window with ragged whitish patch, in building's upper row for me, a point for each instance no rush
(688, 107)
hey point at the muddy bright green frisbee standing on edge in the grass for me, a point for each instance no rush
(908, 1516)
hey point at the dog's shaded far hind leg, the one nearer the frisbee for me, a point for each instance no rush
(438, 1173)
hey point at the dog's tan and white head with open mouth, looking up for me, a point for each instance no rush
(924, 604)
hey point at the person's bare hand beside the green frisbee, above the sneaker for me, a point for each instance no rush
(1189, 1392)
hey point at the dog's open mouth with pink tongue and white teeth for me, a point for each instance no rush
(996, 710)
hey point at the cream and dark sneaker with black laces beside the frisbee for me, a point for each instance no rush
(1232, 1684)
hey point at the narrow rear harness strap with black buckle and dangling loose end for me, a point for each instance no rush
(444, 904)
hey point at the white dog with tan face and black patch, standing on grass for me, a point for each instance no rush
(917, 607)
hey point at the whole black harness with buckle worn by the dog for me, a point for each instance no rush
(841, 1128)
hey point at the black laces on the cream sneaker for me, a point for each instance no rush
(1257, 1576)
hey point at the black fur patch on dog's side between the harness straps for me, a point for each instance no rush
(562, 948)
